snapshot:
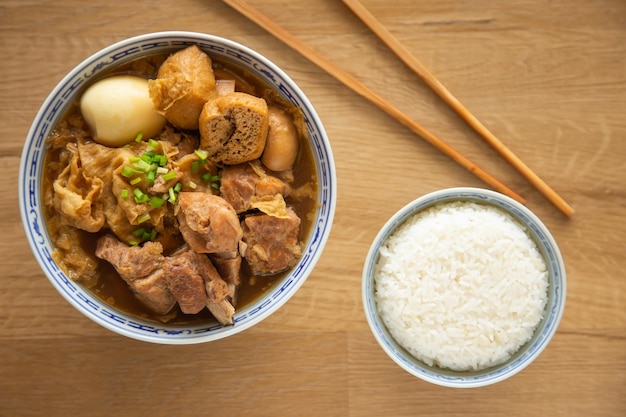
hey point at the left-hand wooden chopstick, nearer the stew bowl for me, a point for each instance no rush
(352, 83)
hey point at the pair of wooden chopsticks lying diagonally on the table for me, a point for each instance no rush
(430, 80)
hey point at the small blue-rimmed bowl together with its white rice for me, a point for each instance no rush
(464, 287)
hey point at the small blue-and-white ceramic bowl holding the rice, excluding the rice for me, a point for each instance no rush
(545, 329)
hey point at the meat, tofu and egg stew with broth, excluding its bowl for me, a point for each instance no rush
(179, 188)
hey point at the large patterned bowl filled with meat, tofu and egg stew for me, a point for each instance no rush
(177, 187)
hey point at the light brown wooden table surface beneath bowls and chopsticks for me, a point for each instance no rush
(547, 77)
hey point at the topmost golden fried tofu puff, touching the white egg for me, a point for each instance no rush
(184, 83)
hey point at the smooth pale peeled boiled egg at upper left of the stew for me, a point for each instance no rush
(118, 108)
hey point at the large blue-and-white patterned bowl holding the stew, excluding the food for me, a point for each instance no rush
(51, 112)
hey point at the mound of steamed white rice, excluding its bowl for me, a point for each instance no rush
(461, 286)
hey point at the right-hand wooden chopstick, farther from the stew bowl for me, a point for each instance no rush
(429, 79)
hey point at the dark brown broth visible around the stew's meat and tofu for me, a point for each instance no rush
(111, 288)
